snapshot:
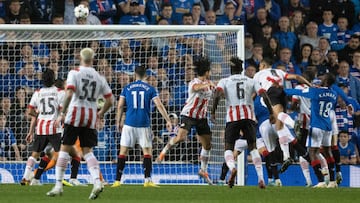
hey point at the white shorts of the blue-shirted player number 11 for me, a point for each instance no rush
(136, 135)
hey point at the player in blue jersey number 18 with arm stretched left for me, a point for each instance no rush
(323, 100)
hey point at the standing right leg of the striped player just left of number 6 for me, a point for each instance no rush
(205, 141)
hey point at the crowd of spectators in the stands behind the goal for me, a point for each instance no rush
(297, 35)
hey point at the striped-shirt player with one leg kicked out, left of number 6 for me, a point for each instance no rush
(194, 113)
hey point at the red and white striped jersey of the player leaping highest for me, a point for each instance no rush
(267, 77)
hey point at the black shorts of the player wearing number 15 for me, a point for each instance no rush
(41, 141)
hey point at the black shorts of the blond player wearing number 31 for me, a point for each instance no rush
(87, 136)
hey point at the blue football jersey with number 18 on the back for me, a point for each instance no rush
(323, 100)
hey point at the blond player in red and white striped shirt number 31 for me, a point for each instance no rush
(84, 86)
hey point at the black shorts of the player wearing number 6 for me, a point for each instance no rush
(247, 126)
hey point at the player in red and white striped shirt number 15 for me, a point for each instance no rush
(45, 105)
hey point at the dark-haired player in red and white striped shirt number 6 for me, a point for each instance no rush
(238, 91)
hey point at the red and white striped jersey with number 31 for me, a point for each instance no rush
(88, 85)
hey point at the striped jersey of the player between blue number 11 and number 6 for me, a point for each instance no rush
(197, 103)
